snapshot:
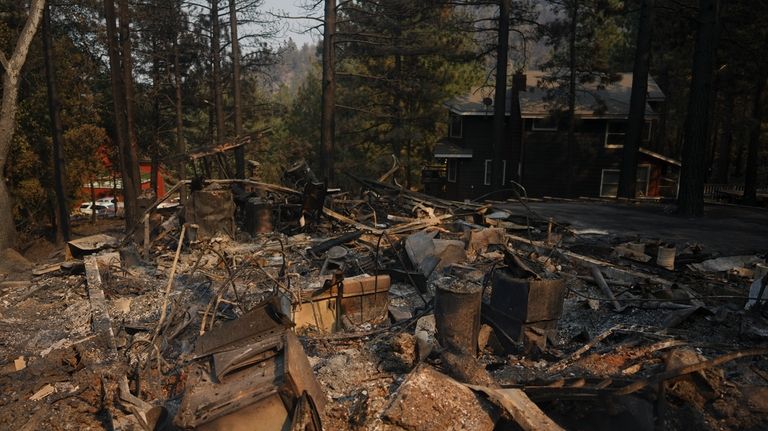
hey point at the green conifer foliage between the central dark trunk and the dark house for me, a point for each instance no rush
(398, 62)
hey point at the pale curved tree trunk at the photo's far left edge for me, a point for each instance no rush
(8, 107)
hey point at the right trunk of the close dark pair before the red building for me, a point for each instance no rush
(130, 97)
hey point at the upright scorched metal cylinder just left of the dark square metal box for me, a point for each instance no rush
(457, 316)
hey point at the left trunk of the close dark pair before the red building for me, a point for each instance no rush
(119, 108)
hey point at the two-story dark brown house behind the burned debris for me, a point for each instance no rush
(537, 154)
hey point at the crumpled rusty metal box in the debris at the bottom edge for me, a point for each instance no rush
(259, 375)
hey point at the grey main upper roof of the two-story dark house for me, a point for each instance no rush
(538, 100)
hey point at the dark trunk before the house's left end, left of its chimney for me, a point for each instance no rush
(500, 95)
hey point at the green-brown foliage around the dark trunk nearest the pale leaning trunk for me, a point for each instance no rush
(80, 80)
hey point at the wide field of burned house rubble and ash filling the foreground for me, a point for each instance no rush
(293, 307)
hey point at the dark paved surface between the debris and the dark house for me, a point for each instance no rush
(729, 230)
